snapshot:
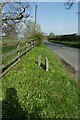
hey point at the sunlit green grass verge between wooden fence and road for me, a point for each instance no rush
(31, 92)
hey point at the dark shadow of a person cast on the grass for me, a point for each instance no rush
(11, 107)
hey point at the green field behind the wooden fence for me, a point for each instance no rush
(10, 46)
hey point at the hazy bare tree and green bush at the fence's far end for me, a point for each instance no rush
(33, 31)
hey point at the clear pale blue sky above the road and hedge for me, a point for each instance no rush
(53, 17)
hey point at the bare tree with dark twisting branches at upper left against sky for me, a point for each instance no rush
(13, 13)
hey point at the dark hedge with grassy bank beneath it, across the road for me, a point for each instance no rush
(69, 40)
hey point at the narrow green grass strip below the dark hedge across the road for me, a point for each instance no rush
(74, 44)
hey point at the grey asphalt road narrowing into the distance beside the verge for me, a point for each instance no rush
(69, 54)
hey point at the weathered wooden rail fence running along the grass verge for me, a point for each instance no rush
(15, 54)
